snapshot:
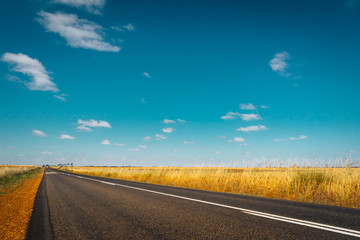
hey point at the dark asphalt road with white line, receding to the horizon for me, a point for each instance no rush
(72, 206)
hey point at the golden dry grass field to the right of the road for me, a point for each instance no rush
(331, 186)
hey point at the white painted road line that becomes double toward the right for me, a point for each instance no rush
(325, 227)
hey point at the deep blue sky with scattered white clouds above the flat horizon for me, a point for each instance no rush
(179, 83)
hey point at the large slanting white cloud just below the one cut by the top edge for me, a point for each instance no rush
(78, 33)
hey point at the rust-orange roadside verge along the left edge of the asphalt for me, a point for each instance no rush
(16, 206)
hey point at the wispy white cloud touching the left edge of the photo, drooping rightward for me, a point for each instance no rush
(39, 77)
